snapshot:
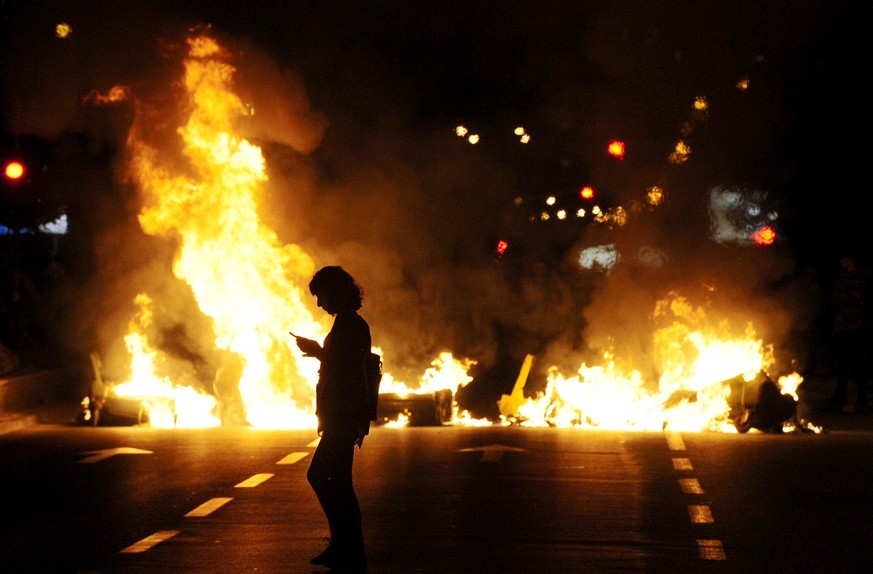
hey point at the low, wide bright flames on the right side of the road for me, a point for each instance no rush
(697, 364)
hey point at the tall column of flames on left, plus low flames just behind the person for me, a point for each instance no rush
(242, 277)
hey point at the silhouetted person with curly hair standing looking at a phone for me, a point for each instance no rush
(343, 418)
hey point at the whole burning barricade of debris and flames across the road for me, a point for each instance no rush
(205, 343)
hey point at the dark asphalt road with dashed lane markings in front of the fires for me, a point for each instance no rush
(438, 500)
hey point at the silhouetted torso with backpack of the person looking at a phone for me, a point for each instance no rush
(341, 392)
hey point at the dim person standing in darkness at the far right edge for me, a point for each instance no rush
(851, 330)
